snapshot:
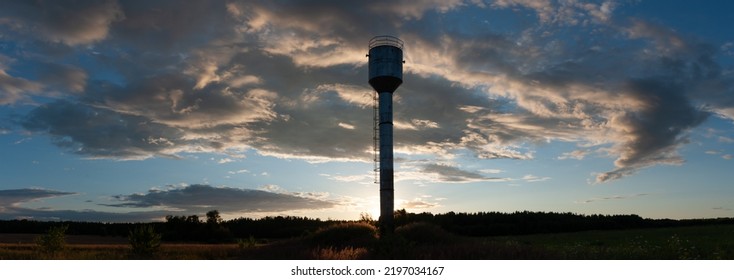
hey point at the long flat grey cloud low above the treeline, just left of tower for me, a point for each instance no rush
(198, 198)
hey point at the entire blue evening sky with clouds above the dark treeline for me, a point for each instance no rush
(133, 110)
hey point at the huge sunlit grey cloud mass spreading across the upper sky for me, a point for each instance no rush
(288, 81)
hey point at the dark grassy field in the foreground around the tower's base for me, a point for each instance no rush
(415, 241)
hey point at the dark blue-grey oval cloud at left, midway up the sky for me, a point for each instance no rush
(101, 133)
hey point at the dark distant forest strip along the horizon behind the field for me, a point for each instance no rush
(213, 229)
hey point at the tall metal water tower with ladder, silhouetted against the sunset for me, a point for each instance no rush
(386, 75)
